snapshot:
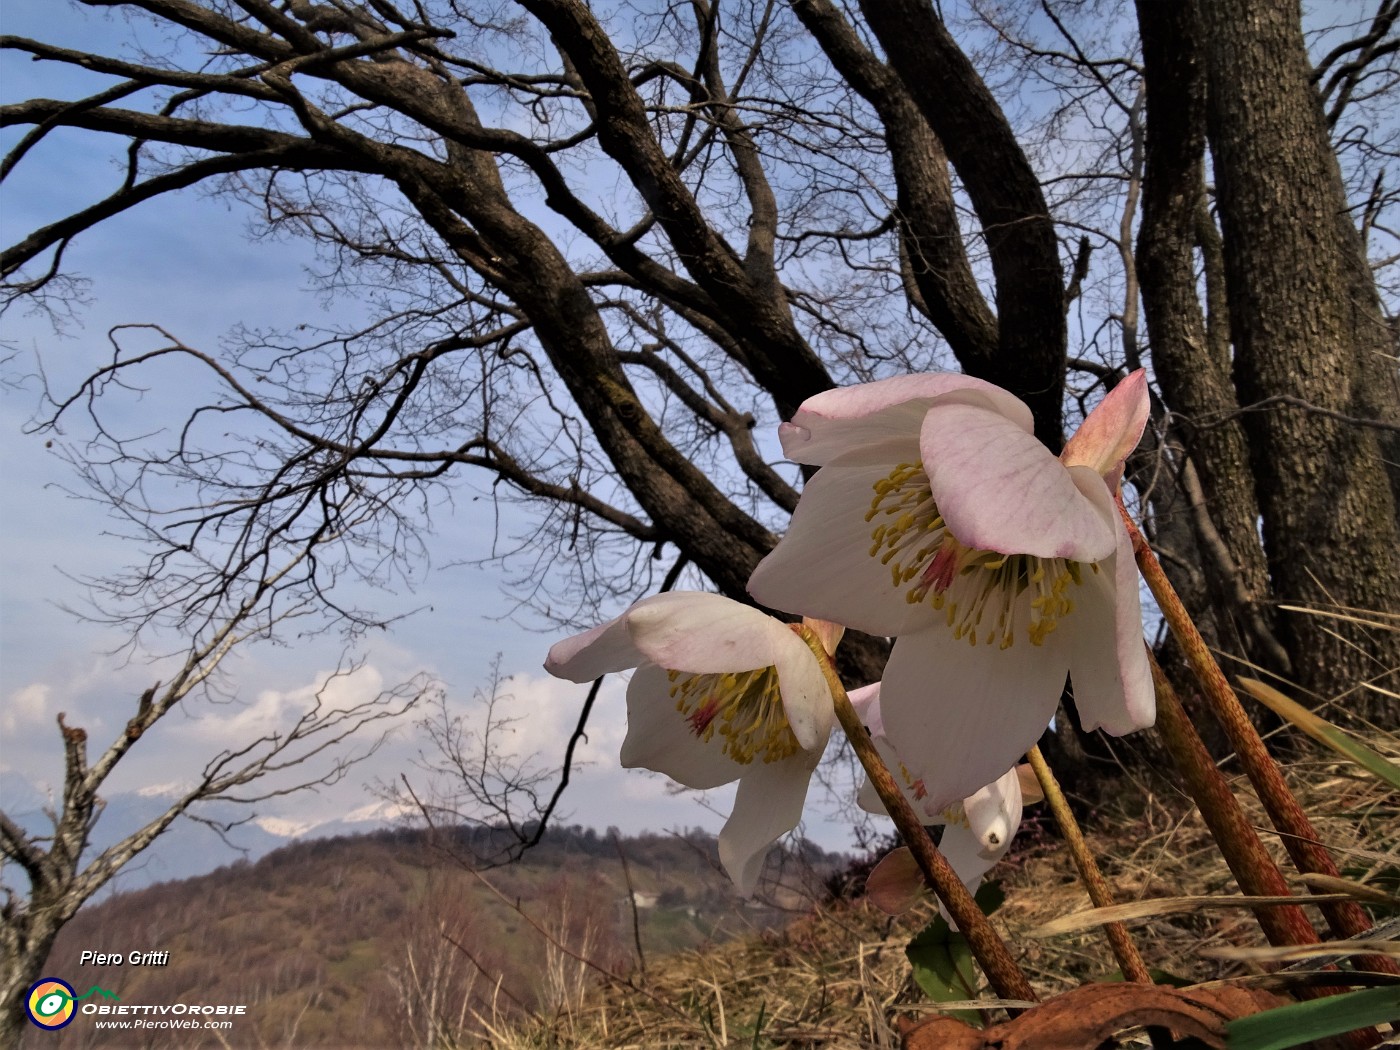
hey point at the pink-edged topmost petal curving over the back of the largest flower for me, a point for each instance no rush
(838, 421)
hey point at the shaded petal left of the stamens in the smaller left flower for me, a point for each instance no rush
(659, 737)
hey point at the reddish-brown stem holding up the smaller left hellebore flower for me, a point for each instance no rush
(990, 951)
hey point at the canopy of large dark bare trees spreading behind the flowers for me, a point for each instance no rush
(607, 247)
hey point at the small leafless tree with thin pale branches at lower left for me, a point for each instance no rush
(325, 740)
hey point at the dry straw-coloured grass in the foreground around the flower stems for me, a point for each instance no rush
(839, 976)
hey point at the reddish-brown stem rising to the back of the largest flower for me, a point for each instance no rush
(1346, 919)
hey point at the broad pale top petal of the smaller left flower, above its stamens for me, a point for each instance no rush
(696, 632)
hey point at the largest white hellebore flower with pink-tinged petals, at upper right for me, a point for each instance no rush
(939, 519)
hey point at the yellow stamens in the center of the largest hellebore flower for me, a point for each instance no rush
(981, 590)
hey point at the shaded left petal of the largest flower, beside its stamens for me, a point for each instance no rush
(824, 568)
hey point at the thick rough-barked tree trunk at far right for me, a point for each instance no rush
(1307, 349)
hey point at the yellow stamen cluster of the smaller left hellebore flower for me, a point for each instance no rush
(744, 706)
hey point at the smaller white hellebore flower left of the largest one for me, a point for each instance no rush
(722, 692)
